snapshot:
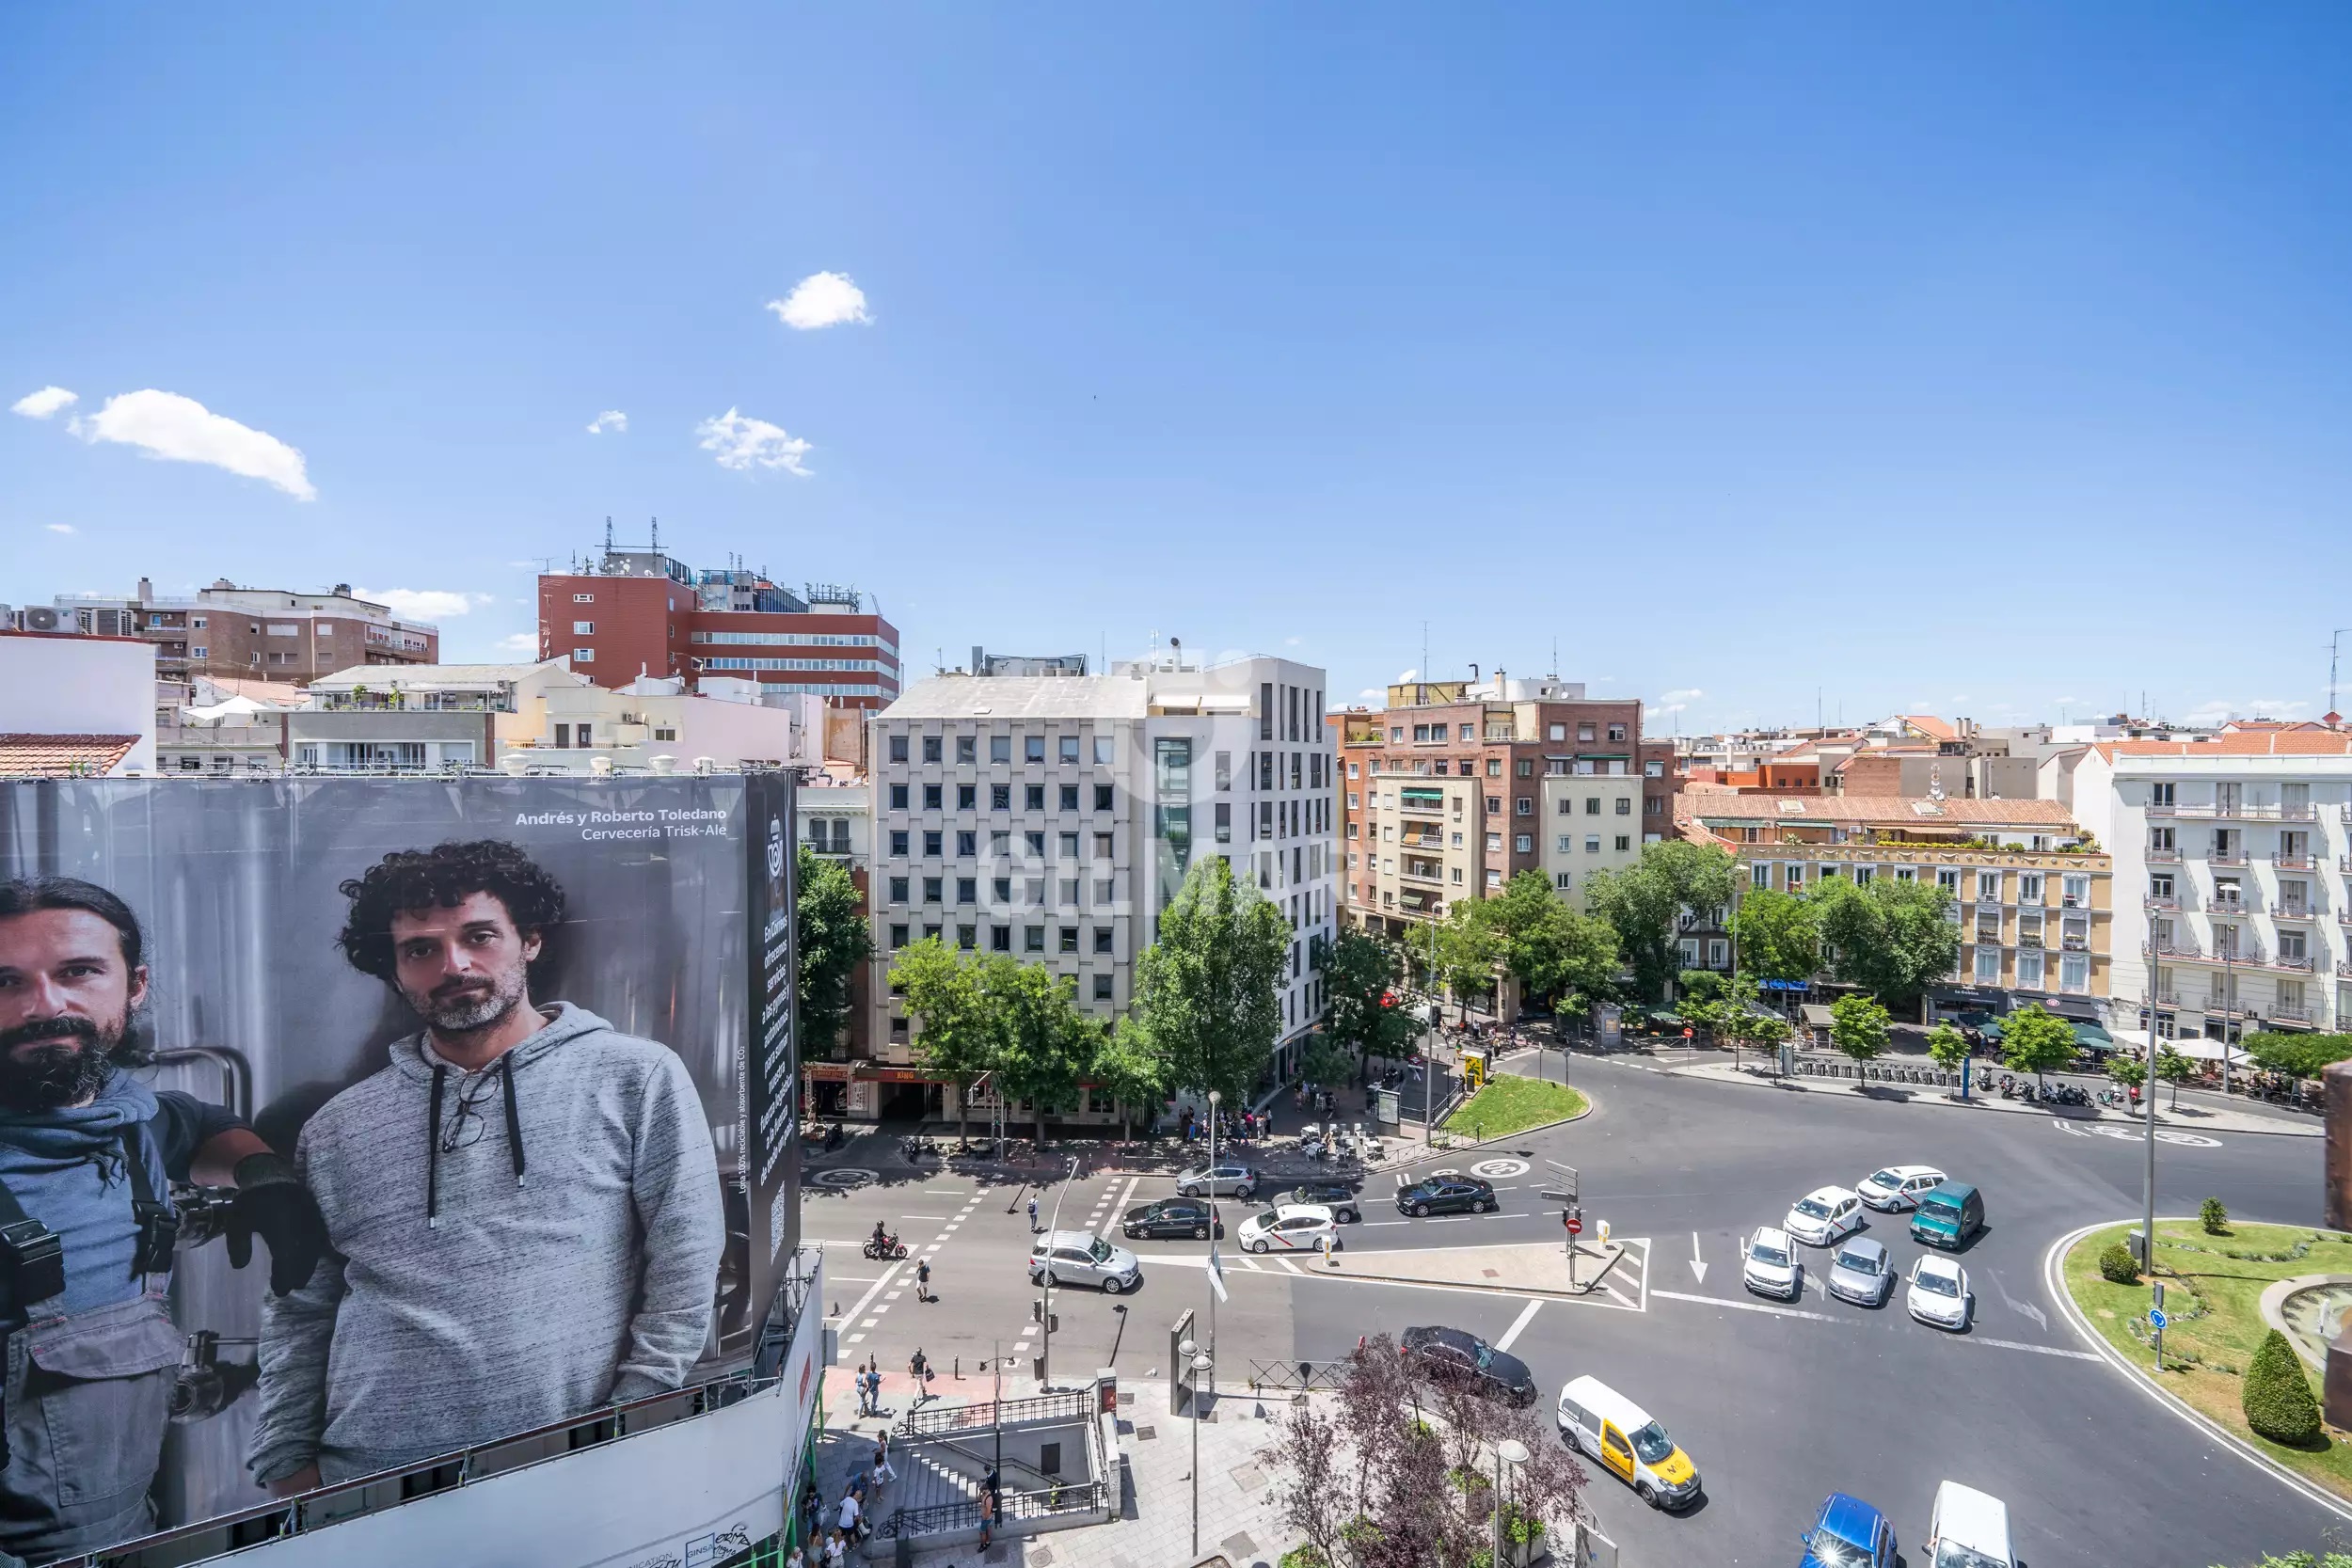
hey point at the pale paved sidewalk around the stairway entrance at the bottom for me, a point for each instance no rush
(1238, 1513)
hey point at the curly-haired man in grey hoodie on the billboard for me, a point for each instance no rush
(523, 1205)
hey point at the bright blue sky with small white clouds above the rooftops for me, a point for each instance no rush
(1989, 363)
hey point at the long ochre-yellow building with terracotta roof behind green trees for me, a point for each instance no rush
(2031, 892)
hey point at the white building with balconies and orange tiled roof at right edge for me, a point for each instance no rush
(2233, 859)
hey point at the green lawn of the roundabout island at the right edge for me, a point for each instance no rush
(2214, 1306)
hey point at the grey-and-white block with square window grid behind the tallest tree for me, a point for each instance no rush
(1053, 817)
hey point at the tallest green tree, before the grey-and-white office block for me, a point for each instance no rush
(1208, 993)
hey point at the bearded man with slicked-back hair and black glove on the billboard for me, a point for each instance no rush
(88, 1155)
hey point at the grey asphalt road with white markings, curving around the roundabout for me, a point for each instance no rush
(1775, 1405)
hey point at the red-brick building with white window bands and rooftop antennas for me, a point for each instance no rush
(643, 612)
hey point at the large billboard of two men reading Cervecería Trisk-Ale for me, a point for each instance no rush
(349, 1123)
